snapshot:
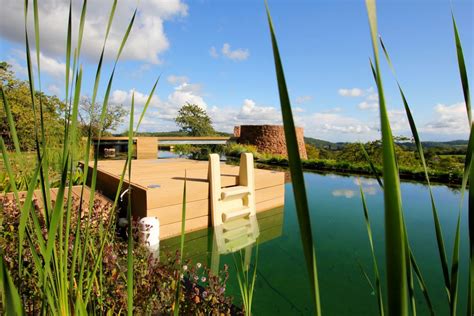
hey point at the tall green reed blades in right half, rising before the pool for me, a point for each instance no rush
(400, 262)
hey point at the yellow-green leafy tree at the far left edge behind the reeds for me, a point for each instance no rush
(18, 95)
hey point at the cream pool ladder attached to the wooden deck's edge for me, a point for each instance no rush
(233, 202)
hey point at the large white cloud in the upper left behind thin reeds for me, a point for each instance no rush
(146, 42)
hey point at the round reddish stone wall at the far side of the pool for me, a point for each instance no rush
(268, 138)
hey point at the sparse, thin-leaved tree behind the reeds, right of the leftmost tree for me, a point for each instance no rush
(90, 116)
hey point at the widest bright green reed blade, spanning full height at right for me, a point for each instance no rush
(396, 263)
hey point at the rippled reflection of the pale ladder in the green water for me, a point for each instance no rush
(232, 236)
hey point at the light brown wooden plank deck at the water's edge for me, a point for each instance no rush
(157, 190)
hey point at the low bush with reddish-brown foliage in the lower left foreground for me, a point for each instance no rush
(155, 282)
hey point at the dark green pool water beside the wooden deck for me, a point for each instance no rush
(342, 248)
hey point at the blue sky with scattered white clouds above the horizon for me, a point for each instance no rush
(217, 54)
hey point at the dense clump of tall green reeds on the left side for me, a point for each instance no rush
(65, 283)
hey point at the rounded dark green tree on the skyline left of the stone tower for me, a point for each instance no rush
(194, 121)
